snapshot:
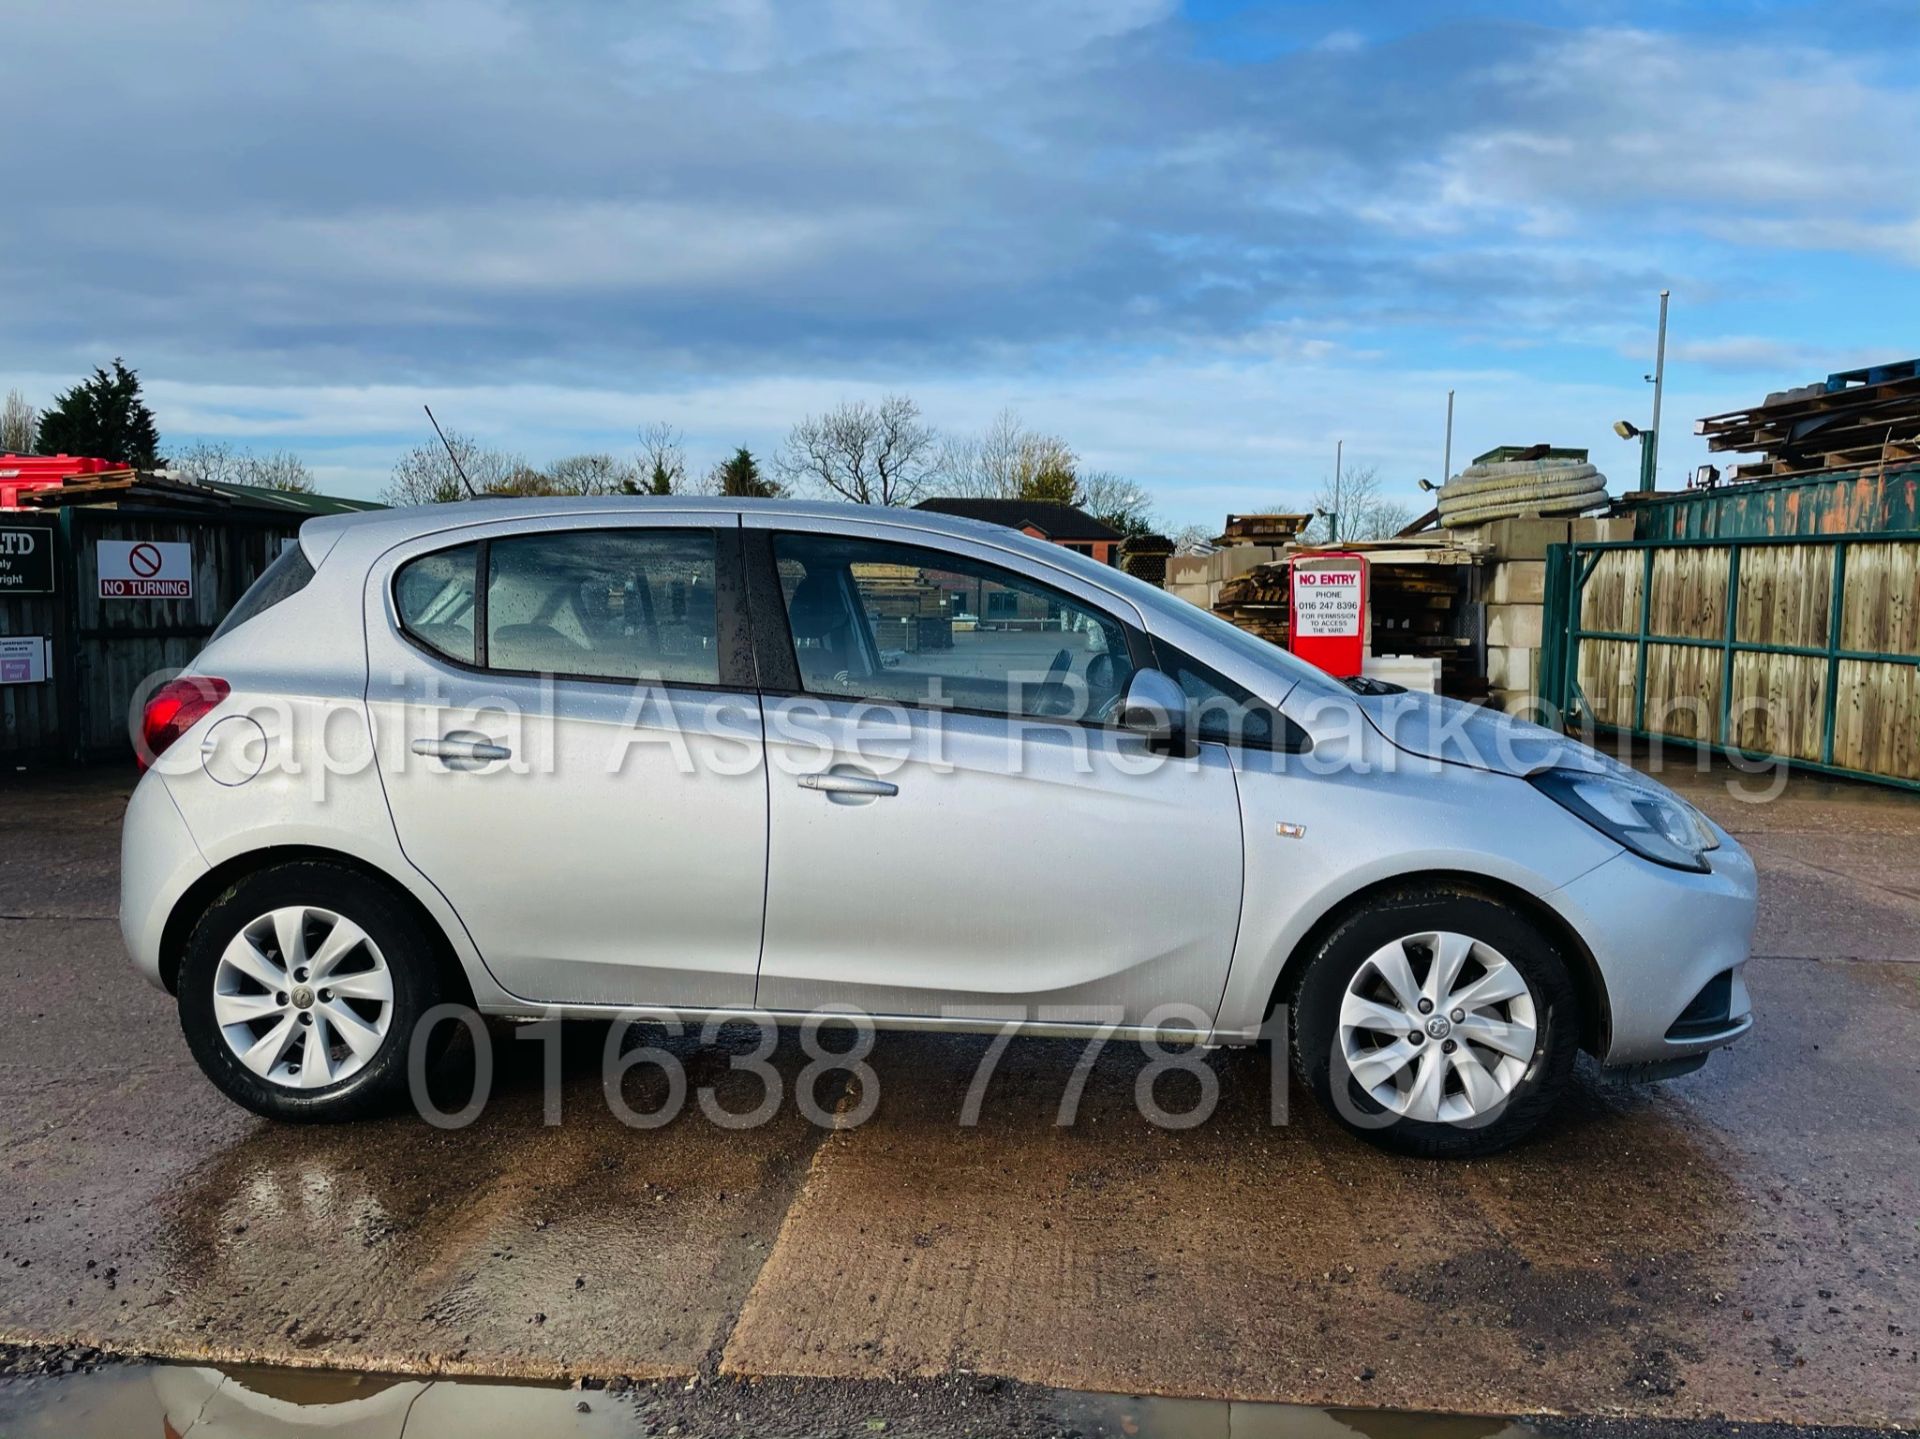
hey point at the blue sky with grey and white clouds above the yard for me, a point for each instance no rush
(1203, 243)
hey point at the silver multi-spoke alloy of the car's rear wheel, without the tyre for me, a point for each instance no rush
(302, 998)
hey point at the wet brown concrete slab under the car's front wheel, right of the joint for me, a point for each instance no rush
(1742, 1244)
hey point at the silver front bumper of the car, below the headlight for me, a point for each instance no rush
(1662, 939)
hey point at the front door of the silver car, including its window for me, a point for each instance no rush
(955, 825)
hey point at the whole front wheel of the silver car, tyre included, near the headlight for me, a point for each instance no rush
(1437, 1023)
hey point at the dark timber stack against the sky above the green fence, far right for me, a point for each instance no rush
(1854, 420)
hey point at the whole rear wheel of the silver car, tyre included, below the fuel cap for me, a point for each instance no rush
(300, 990)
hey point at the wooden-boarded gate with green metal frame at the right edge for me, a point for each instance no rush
(1792, 648)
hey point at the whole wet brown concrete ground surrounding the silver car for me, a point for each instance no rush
(1740, 1244)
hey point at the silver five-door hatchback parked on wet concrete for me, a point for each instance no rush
(573, 756)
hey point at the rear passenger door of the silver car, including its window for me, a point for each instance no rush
(571, 750)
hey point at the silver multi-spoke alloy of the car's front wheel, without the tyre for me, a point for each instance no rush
(1399, 1056)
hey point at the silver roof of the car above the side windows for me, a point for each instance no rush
(387, 527)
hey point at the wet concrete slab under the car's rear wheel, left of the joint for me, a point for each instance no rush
(139, 1211)
